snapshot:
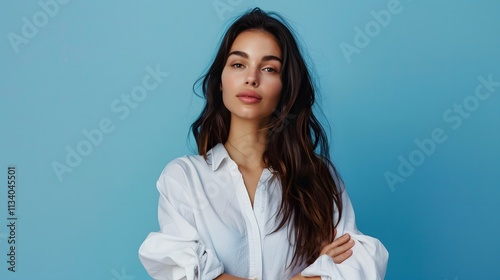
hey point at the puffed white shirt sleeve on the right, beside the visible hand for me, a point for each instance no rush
(369, 258)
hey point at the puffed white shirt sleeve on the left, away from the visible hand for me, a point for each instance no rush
(176, 252)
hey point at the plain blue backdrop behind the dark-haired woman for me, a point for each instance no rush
(439, 223)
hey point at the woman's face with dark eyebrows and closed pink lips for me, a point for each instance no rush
(251, 79)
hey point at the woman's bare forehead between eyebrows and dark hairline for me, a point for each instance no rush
(256, 42)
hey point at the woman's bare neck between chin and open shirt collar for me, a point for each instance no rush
(246, 143)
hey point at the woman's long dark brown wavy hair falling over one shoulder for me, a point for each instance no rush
(297, 147)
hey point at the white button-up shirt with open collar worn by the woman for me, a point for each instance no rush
(208, 226)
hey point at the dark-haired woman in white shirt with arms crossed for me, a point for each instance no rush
(258, 202)
